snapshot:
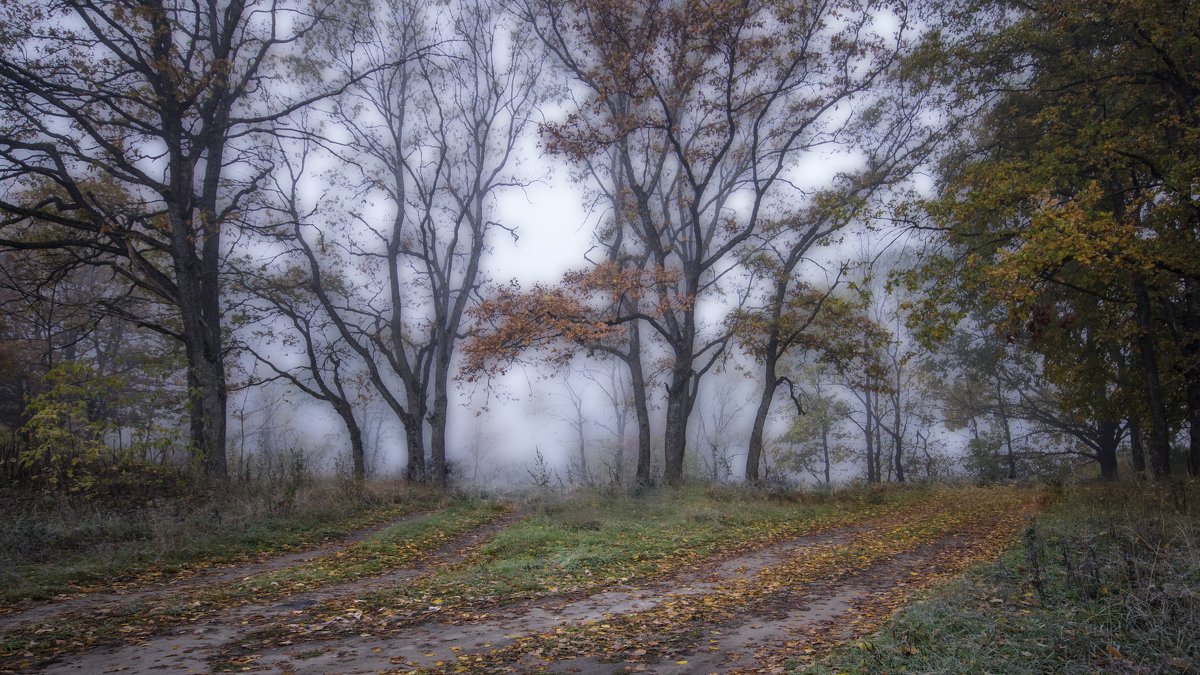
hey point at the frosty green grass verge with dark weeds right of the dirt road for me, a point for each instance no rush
(1107, 580)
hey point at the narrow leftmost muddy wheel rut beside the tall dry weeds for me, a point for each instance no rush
(109, 601)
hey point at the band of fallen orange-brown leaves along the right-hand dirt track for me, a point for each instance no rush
(957, 530)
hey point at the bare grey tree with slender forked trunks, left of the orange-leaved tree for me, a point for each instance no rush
(431, 142)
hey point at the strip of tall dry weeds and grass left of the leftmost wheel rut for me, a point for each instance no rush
(56, 546)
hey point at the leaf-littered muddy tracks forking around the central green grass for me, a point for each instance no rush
(580, 634)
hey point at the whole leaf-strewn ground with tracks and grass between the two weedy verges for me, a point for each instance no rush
(679, 582)
